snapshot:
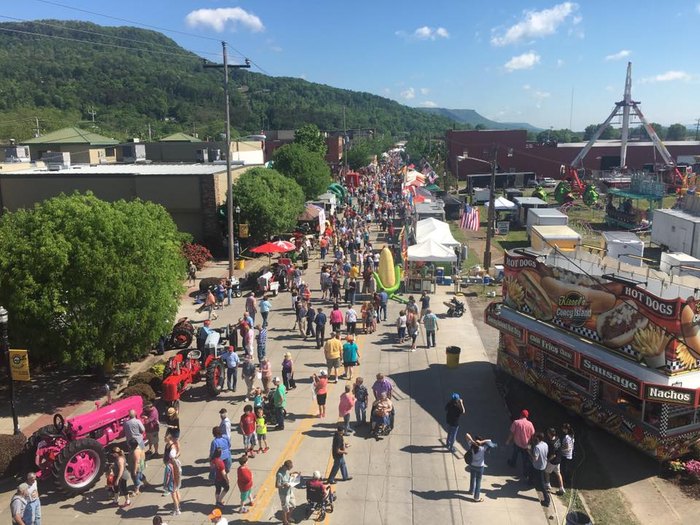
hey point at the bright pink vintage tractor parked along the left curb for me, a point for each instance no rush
(72, 451)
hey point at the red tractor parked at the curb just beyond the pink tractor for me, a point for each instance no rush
(190, 366)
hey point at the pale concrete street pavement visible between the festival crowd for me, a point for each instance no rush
(408, 477)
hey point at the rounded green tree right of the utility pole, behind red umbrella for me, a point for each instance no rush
(269, 201)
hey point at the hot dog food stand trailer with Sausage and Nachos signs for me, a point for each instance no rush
(623, 353)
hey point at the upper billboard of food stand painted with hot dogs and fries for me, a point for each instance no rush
(661, 333)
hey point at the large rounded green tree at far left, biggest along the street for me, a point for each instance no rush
(86, 280)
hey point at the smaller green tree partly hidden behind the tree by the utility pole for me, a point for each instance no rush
(307, 168)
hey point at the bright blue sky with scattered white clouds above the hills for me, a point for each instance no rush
(509, 60)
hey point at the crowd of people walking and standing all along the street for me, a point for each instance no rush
(333, 322)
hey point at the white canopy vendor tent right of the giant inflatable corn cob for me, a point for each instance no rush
(421, 269)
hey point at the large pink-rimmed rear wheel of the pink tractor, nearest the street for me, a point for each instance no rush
(79, 465)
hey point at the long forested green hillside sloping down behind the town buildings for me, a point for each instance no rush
(130, 78)
